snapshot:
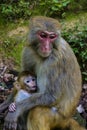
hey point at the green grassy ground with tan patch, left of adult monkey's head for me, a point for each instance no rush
(12, 39)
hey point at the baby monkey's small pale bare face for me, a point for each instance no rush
(30, 83)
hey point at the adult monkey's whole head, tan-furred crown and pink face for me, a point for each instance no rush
(44, 34)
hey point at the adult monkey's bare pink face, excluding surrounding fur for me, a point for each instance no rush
(46, 40)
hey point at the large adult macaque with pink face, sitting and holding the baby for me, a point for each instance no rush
(58, 74)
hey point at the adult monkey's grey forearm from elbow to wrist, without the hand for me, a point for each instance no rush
(38, 99)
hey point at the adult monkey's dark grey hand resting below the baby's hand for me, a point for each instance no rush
(10, 121)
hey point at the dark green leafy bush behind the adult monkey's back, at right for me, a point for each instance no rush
(77, 38)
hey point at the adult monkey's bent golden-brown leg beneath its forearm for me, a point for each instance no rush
(42, 118)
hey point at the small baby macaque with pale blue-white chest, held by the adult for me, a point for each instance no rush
(25, 86)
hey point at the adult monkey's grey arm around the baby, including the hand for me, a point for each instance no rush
(37, 99)
